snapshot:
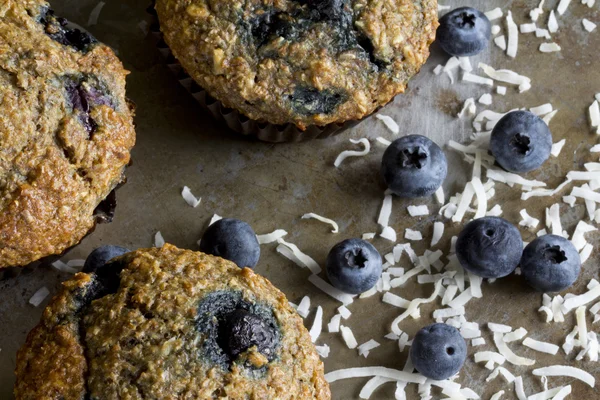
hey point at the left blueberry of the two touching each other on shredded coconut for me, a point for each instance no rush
(489, 247)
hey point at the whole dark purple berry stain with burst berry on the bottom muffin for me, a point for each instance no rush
(232, 326)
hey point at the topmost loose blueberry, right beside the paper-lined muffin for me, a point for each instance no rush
(464, 32)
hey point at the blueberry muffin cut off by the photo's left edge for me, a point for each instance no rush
(66, 130)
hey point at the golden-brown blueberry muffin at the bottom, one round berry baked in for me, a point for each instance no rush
(169, 324)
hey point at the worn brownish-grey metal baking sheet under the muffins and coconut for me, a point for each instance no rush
(271, 186)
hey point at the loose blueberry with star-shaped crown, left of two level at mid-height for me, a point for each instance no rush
(414, 166)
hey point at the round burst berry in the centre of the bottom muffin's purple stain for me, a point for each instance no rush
(245, 329)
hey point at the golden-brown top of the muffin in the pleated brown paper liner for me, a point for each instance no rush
(306, 62)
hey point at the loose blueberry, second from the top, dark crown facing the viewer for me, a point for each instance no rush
(521, 142)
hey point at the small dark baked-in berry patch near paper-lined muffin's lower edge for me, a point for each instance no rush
(310, 101)
